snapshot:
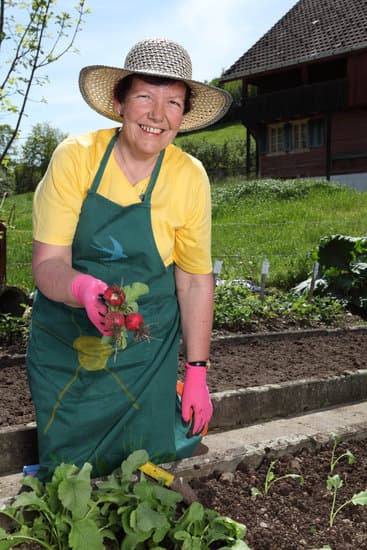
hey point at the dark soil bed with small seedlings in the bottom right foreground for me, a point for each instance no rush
(294, 516)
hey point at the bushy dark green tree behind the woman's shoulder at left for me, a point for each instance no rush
(36, 155)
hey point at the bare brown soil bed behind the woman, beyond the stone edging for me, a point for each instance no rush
(235, 365)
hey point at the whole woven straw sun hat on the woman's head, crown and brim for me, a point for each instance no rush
(158, 57)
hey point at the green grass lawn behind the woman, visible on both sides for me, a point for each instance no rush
(253, 221)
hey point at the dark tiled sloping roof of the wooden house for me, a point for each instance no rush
(311, 30)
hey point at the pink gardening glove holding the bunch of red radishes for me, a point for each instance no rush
(87, 291)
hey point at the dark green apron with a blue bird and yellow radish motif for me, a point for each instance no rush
(93, 405)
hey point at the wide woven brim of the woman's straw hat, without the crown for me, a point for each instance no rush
(208, 103)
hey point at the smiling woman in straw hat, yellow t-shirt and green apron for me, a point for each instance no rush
(124, 206)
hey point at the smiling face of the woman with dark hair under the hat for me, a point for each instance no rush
(152, 115)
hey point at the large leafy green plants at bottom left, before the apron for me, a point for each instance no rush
(123, 511)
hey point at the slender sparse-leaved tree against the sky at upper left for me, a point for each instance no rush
(33, 34)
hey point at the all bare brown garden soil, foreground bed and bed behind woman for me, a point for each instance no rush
(292, 515)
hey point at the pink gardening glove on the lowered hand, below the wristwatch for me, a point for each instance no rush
(195, 398)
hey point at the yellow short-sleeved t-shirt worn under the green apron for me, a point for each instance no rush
(180, 202)
